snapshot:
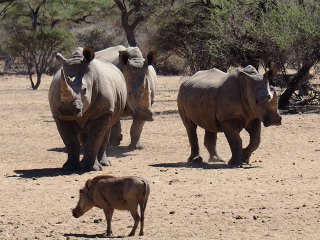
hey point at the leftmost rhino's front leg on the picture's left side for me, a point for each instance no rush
(69, 137)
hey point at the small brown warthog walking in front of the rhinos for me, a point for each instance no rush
(109, 193)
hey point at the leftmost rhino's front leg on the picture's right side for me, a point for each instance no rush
(96, 136)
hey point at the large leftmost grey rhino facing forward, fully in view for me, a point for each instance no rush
(86, 97)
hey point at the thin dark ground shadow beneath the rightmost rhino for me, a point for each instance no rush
(202, 165)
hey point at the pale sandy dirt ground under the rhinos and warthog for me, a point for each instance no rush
(278, 197)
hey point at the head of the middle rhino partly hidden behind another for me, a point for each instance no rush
(135, 70)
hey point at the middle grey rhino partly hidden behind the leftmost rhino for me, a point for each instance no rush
(141, 85)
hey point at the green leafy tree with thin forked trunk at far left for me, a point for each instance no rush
(40, 32)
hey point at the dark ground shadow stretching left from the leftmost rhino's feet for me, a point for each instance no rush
(41, 172)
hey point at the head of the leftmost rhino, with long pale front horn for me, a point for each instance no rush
(76, 82)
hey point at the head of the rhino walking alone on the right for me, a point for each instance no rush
(262, 100)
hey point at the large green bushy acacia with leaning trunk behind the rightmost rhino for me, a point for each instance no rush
(237, 33)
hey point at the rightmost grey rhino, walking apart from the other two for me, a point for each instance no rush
(223, 102)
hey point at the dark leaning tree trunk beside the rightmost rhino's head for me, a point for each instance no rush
(295, 83)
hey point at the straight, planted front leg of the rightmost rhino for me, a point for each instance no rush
(232, 133)
